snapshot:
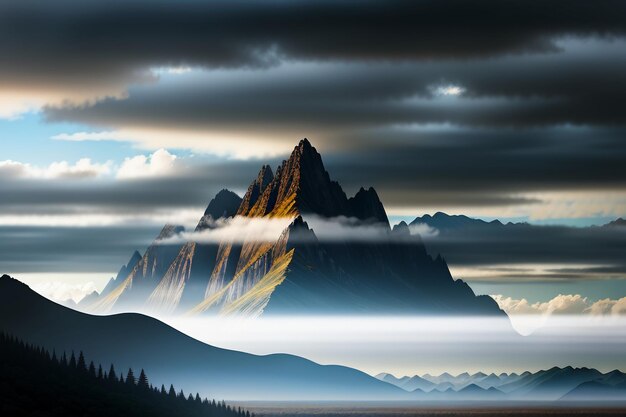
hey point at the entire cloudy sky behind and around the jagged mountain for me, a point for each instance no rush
(119, 116)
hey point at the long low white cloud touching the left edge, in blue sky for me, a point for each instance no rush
(83, 168)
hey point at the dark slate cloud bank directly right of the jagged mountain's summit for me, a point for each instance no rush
(482, 167)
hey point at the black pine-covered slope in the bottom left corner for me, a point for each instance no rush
(35, 382)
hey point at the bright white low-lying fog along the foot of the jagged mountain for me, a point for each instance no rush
(419, 345)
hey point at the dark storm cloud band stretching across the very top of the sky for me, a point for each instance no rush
(72, 40)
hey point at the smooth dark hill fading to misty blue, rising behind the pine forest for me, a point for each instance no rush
(168, 356)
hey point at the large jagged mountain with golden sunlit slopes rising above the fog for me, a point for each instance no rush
(300, 273)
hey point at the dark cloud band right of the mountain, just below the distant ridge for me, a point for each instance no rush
(598, 250)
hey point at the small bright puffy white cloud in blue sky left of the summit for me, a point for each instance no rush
(160, 163)
